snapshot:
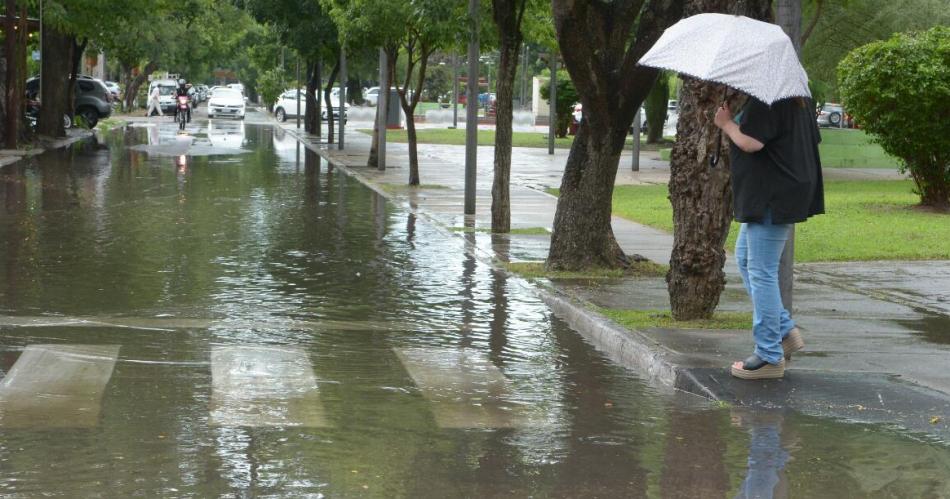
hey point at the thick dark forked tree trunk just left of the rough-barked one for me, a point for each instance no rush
(601, 56)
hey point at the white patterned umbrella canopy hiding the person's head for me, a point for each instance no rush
(755, 57)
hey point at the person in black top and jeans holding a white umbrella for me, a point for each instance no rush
(775, 168)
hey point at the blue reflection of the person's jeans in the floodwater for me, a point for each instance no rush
(767, 454)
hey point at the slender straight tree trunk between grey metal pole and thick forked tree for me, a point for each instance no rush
(508, 15)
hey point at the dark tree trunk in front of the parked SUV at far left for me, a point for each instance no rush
(57, 48)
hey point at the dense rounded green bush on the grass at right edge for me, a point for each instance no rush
(899, 90)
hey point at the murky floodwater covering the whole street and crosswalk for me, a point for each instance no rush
(243, 321)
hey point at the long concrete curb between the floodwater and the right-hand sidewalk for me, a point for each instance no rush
(629, 348)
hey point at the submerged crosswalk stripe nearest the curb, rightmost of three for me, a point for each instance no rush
(466, 390)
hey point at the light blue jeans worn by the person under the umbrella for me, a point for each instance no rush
(758, 251)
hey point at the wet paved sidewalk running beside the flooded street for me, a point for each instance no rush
(877, 333)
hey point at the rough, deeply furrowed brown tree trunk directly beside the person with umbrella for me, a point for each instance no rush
(702, 196)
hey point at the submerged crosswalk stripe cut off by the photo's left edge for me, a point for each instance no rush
(56, 386)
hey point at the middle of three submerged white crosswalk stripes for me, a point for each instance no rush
(264, 386)
